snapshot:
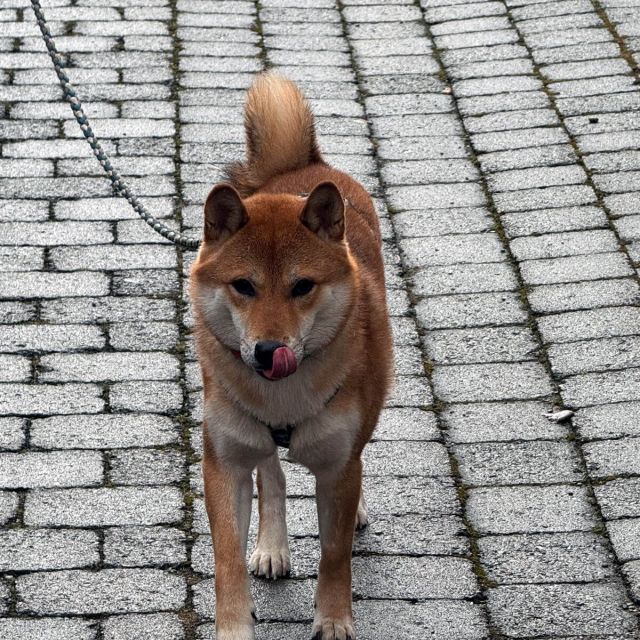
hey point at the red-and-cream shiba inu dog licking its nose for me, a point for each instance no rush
(295, 348)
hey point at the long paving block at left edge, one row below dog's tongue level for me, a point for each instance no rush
(41, 399)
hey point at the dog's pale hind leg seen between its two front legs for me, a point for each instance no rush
(271, 557)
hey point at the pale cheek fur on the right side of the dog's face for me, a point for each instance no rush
(330, 313)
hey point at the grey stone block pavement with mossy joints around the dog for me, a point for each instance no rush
(500, 139)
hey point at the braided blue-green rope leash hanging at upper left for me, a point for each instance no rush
(119, 185)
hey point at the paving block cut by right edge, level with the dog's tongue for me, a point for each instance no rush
(595, 355)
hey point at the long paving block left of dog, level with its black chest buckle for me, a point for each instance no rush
(106, 431)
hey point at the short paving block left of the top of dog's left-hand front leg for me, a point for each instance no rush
(145, 466)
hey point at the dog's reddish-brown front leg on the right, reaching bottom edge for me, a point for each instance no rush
(337, 495)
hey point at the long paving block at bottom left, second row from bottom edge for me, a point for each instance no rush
(106, 591)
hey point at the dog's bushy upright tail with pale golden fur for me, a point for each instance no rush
(279, 131)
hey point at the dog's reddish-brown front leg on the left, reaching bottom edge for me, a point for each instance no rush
(228, 491)
